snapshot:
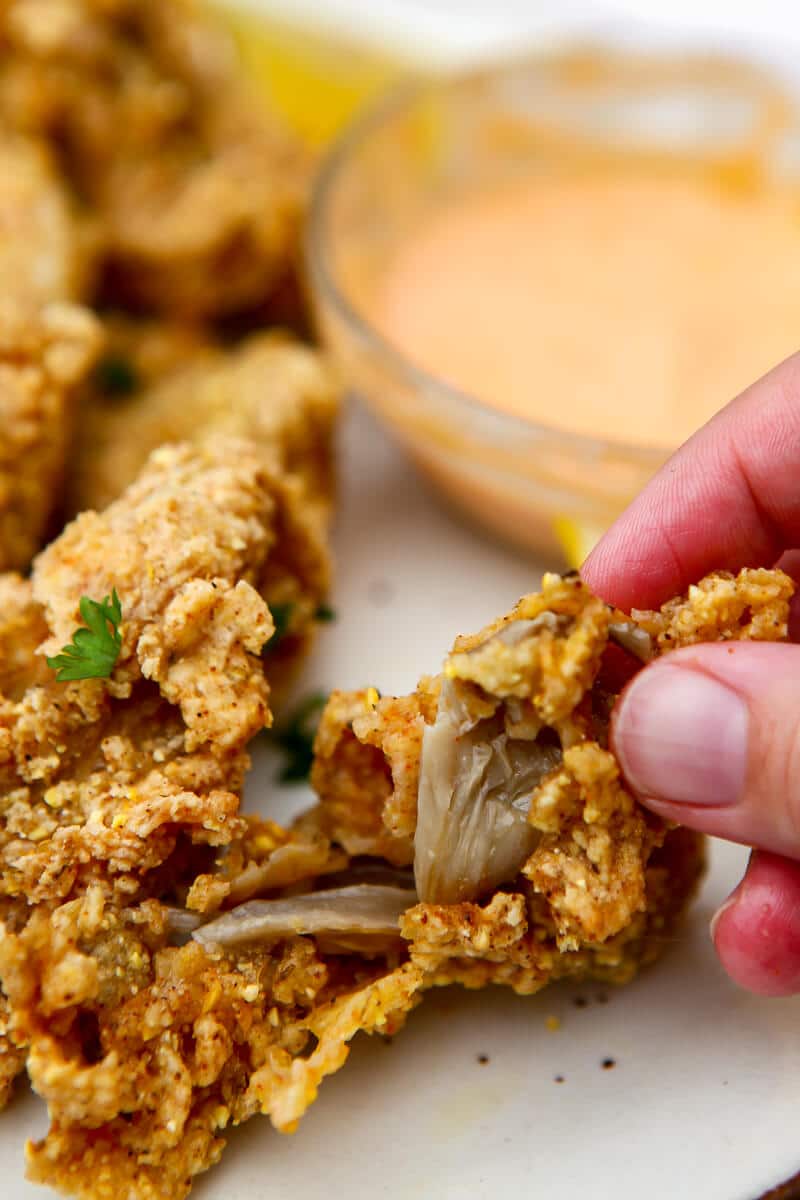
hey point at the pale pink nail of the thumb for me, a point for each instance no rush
(682, 737)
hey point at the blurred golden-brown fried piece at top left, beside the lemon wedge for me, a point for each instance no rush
(197, 195)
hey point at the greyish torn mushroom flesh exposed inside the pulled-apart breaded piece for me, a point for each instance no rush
(498, 735)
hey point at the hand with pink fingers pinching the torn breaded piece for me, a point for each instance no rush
(709, 736)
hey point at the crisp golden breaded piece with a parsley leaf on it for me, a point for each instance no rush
(101, 777)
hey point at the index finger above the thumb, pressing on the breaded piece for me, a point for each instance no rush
(729, 499)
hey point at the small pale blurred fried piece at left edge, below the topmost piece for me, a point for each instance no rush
(44, 256)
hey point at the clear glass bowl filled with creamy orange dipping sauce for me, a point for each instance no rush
(587, 254)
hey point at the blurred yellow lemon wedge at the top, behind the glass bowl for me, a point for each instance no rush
(316, 81)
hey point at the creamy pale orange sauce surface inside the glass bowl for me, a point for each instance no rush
(625, 304)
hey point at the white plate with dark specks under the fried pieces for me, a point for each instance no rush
(703, 1099)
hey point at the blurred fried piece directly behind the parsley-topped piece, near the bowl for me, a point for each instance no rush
(279, 394)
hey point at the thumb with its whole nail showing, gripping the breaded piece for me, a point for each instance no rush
(709, 736)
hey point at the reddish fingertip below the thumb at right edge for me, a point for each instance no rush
(757, 932)
